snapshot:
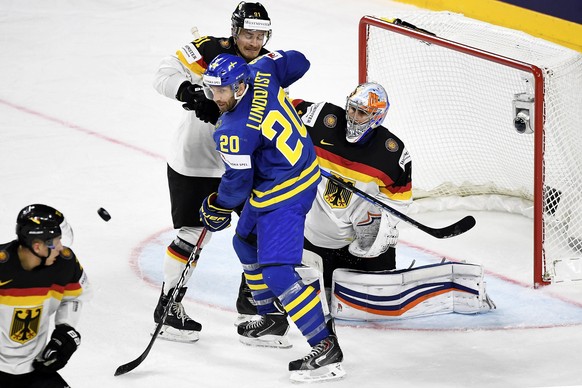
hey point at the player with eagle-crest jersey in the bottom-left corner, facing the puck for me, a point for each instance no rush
(39, 278)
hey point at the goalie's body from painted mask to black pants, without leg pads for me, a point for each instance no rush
(345, 230)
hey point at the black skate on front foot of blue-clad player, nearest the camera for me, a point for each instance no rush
(322, 363)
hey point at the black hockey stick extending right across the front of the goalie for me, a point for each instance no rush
(452, 230)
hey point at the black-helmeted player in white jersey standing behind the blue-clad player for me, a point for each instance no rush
(194, 165)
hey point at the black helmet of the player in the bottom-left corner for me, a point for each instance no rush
(40, 222)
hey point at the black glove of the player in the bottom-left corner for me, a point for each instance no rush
(64, 342)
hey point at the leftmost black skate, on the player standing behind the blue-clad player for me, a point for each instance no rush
(178, 326)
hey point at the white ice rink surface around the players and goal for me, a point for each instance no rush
(82, 127)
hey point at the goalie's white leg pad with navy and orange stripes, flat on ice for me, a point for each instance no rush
(427, 290)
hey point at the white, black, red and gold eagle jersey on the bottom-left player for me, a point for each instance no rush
(28, 300)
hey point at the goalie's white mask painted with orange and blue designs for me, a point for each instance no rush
(366, 109)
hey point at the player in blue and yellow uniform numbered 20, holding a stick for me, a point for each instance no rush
(271, 167)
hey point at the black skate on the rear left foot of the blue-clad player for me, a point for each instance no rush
(268, 330)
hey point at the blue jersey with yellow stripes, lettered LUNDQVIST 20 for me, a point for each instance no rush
(268, 154)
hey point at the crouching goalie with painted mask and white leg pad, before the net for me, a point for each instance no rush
(352, 241)
